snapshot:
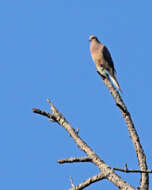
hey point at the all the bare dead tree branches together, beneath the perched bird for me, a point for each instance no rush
(106, 171)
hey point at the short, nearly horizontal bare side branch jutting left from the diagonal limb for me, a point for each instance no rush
(71, 160)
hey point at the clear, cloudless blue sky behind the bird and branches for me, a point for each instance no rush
(45, 54)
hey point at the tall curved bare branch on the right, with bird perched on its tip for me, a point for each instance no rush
(144, 181)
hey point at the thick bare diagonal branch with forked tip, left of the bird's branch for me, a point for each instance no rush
(104, 168)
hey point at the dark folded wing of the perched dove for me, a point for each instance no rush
(108, 58)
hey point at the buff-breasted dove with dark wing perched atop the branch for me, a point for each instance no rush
(103, 60)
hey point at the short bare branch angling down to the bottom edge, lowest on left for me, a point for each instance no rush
(88, 182)
